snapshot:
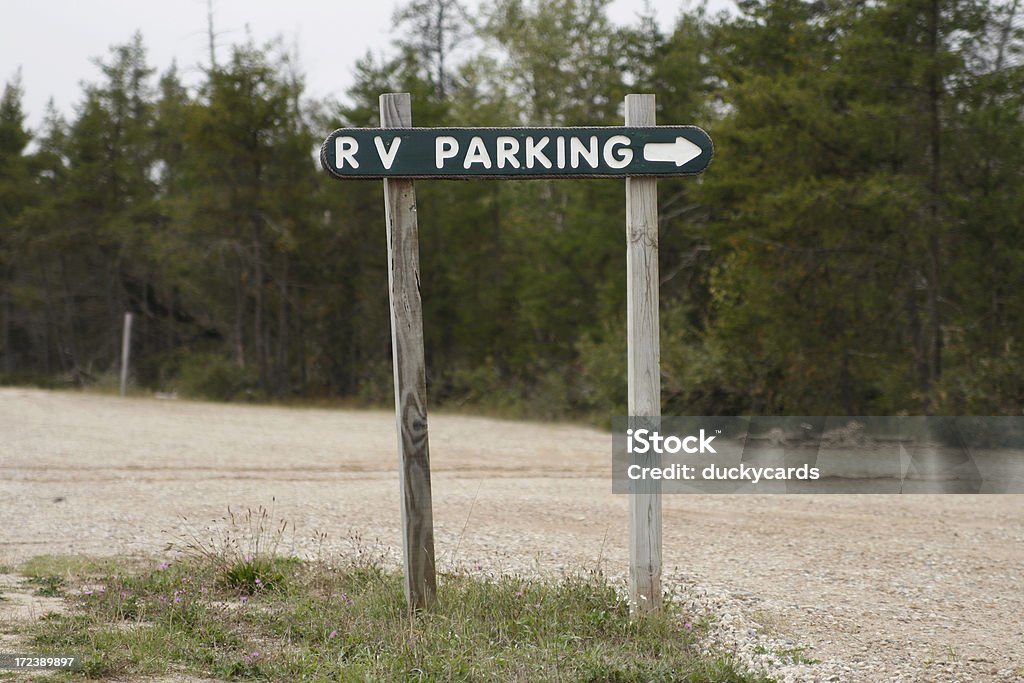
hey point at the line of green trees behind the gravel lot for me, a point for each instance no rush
(857, 246)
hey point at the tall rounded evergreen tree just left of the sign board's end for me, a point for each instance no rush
(250, 178)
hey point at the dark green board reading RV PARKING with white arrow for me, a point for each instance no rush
(517, 153)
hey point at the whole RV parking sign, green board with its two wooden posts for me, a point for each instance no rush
(639, 152)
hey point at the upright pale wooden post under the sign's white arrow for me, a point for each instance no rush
(645, 366)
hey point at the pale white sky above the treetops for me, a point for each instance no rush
(56, 42)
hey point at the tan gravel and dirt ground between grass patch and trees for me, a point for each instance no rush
(830, 588)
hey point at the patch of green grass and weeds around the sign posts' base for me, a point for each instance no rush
(321, 622)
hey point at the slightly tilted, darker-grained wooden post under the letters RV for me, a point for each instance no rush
(410, 371)
